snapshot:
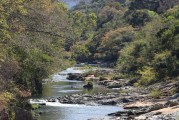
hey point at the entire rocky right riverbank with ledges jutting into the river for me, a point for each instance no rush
(154, 102)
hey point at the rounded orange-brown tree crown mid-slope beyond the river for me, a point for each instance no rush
(113, 41)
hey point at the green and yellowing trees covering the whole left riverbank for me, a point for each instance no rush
(32, 37)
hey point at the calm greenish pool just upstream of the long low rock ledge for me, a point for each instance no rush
(66, 88)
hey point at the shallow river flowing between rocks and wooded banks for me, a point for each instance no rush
(61, 87)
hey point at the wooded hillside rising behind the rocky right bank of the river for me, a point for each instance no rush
(138, 38)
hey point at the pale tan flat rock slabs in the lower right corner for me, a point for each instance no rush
(151, 109)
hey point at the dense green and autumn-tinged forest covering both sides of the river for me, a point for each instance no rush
(40, 37)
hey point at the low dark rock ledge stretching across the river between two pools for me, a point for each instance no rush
(113, 98)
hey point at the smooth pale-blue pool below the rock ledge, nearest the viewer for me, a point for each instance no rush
(76, 112)
